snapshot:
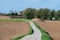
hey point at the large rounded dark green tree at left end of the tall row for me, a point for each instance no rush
(29, 13)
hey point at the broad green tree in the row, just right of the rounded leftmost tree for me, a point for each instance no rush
(42, 13)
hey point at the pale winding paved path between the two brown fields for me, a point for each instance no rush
(36, 34)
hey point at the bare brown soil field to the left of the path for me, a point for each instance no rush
(12, 29)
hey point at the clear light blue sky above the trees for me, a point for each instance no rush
(18, 5)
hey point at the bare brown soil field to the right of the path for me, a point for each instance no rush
(52, 27)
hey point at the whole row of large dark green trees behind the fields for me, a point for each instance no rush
(43, 13)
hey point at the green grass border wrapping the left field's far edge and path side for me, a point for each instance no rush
(17, 20)
